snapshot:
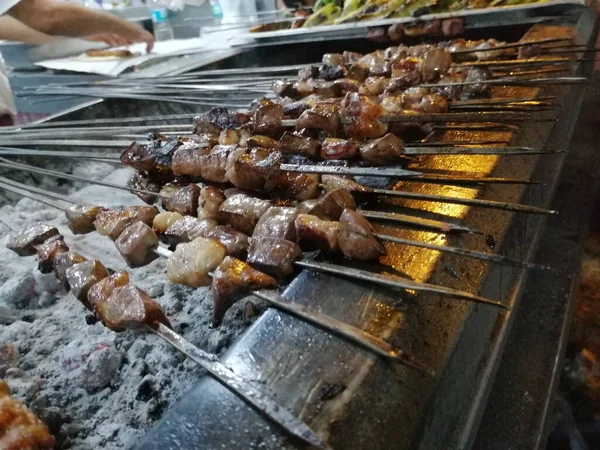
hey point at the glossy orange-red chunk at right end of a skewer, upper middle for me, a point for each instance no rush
(364, 116)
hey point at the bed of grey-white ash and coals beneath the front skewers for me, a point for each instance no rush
(95, 388)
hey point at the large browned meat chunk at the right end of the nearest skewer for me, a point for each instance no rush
(130, 307)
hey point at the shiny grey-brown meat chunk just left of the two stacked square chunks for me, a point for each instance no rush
(242, 212)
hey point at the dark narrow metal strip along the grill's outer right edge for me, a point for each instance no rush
(531, 366)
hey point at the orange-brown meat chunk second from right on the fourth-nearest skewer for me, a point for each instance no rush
(316, 234)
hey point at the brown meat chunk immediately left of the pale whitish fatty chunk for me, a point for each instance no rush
(136, 244)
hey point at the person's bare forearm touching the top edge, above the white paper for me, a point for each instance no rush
(66, 19)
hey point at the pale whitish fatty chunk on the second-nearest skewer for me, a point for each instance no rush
(191, 262)
